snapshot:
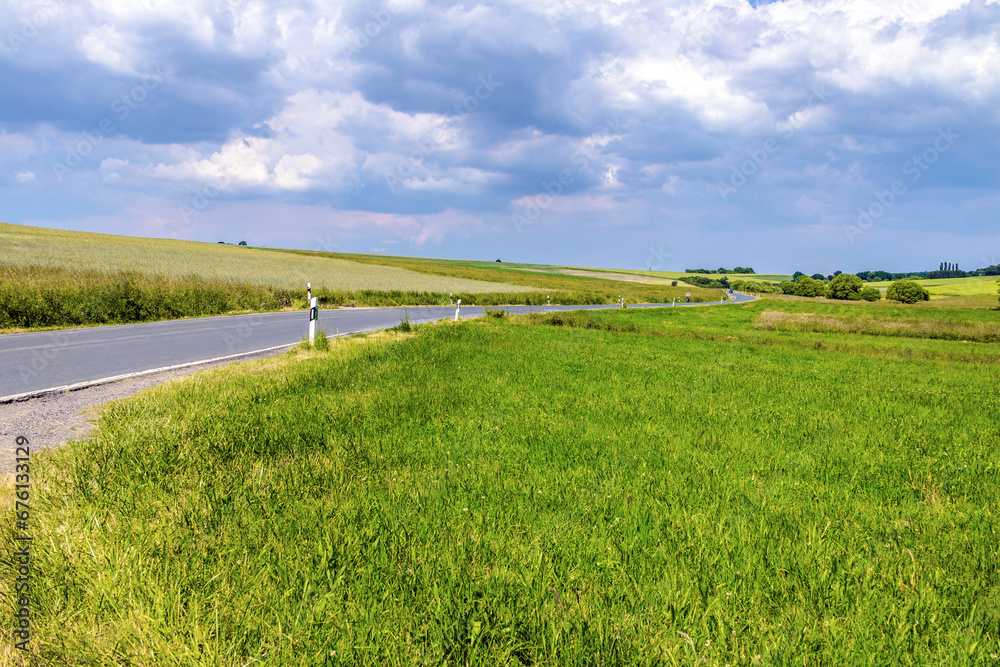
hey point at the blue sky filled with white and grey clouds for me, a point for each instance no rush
(812, 135)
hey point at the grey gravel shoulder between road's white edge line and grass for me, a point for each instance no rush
(51, 421)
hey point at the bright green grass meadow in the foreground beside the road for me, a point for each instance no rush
(627, 487)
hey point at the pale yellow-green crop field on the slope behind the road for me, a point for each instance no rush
(23, 246)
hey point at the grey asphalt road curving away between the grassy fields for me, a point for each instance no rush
(46, 361)
